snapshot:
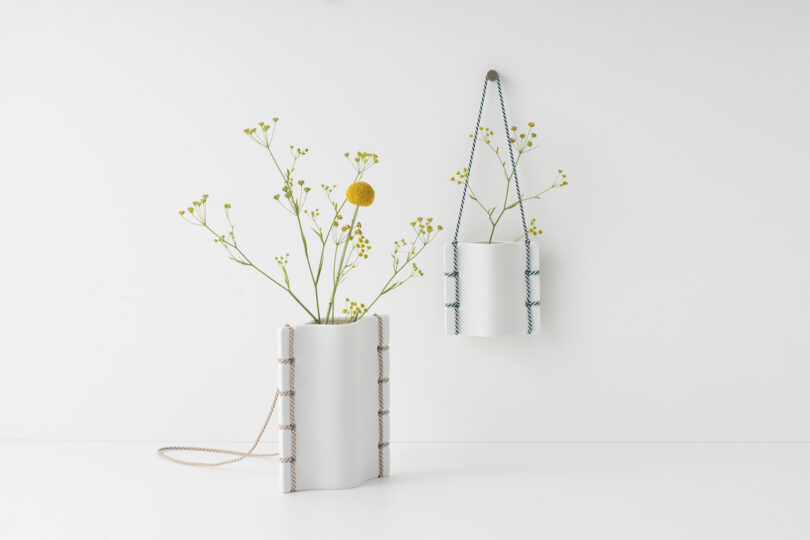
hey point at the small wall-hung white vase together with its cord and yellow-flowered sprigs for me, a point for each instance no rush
(492, 287)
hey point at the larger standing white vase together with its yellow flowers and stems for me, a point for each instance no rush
(333, 368)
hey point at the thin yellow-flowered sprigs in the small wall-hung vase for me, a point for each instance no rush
(523, 141)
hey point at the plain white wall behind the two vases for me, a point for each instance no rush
(676, 299)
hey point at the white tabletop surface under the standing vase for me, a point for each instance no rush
(120, 490)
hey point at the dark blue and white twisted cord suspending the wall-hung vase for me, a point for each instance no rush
(529, 272)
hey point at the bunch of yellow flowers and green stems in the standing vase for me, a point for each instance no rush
(349, 246)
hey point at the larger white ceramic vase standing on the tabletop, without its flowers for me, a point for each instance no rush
(341, 395)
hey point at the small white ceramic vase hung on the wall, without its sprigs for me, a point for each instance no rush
(492, 289)
